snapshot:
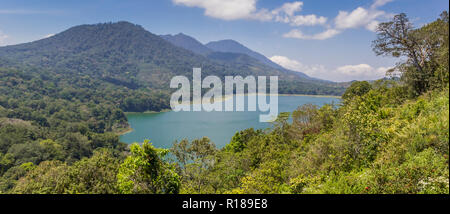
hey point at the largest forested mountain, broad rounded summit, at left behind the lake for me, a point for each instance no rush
(121, 53)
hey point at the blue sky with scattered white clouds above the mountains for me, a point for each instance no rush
(327, 39)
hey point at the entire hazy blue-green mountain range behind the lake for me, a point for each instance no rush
(126, 54)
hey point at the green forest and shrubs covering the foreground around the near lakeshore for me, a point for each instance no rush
(387, 136)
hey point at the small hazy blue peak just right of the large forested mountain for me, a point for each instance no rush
(188, 43)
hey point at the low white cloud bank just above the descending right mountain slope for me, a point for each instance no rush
(341, 74)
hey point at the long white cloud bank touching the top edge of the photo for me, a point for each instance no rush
(367, 18)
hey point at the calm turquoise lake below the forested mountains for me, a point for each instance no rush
(162, 129)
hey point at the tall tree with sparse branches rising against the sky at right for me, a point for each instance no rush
(425, 50)
